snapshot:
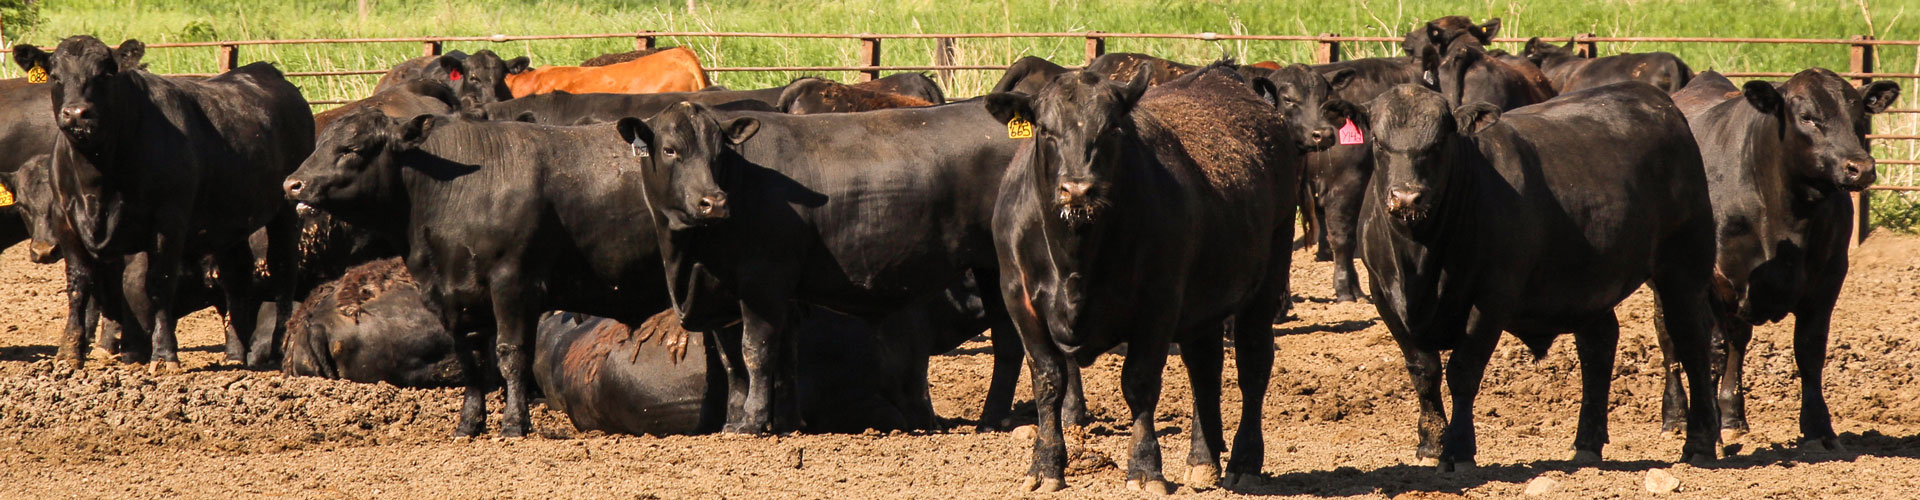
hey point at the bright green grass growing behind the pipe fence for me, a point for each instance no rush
(237, 20)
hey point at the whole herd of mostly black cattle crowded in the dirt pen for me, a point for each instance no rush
(654, 255)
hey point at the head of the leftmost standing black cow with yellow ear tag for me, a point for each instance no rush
(91, 84)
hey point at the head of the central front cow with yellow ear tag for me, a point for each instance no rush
(1076, 122)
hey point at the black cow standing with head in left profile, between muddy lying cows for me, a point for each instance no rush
(498, 222)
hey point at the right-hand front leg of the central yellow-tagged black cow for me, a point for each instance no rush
(1140, 384)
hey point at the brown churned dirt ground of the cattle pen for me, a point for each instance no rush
(1339, 422)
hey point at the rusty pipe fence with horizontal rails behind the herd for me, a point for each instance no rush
(869, 57)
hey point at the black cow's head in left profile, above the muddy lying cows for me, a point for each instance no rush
(354, 172)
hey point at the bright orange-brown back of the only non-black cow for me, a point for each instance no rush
(675, 70)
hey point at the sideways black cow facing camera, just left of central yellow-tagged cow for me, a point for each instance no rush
(790, 216)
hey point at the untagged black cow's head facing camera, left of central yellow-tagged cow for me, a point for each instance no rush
(688, 172)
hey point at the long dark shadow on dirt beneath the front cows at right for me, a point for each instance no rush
(1397, 480)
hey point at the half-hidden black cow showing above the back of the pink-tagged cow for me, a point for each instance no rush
(1570, 72)
